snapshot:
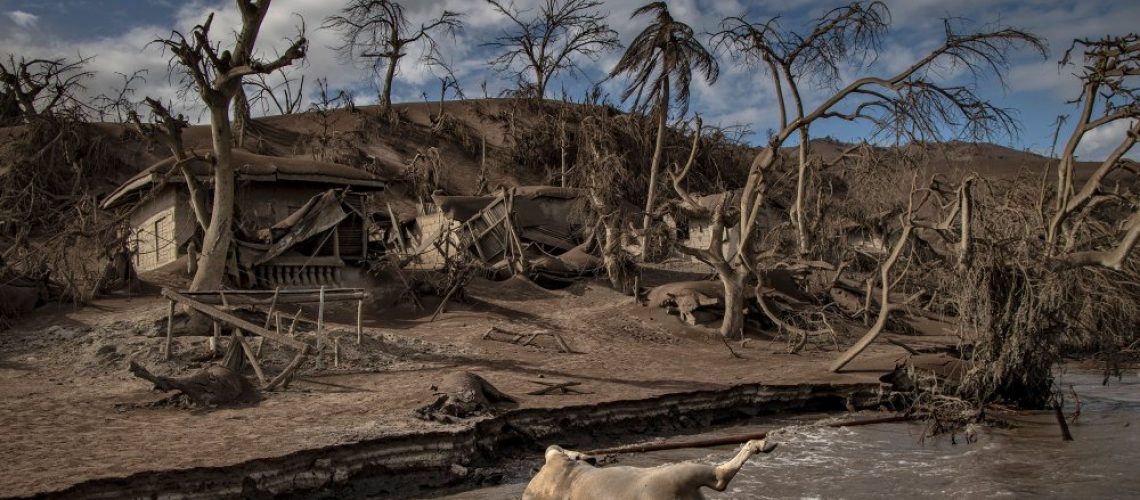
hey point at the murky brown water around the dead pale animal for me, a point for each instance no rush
(891, 461)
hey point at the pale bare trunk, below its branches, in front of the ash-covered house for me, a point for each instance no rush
(217, 241)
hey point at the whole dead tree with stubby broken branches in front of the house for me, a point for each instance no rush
(217, 77)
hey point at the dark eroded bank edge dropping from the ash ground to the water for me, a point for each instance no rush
(417, 463)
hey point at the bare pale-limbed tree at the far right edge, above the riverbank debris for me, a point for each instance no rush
(1112, 67)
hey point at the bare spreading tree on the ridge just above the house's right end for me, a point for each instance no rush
(380, 30)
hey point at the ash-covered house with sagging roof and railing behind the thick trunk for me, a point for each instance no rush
(298, 222)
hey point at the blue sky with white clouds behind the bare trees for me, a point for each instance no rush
(117, 35)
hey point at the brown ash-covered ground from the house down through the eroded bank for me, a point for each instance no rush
(78, 425)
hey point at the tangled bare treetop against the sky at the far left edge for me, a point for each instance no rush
(31, 88)
